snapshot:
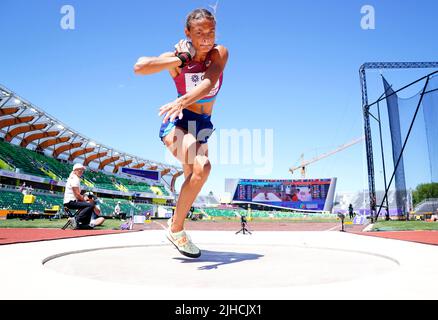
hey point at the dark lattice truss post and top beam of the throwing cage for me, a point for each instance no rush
(366, 114)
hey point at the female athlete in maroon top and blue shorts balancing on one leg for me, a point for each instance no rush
(196, 66)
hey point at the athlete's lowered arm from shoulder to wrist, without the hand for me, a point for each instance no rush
(219, 58)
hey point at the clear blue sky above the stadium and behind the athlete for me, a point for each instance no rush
(293, 69)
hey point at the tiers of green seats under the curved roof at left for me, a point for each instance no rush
(21, 160)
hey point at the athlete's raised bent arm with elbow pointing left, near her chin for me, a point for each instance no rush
(151, 65)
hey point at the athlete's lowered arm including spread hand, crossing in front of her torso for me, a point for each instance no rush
(173, 110)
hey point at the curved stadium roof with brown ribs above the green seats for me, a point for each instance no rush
(24, 124)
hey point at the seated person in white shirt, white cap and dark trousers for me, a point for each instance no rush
(75, 201)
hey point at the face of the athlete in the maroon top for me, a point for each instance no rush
(202, 34)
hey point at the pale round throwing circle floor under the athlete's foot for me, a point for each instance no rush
(221, 266)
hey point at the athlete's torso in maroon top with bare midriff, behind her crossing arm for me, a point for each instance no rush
(191, 76)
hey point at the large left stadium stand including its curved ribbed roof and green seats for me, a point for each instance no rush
(39, 151)
